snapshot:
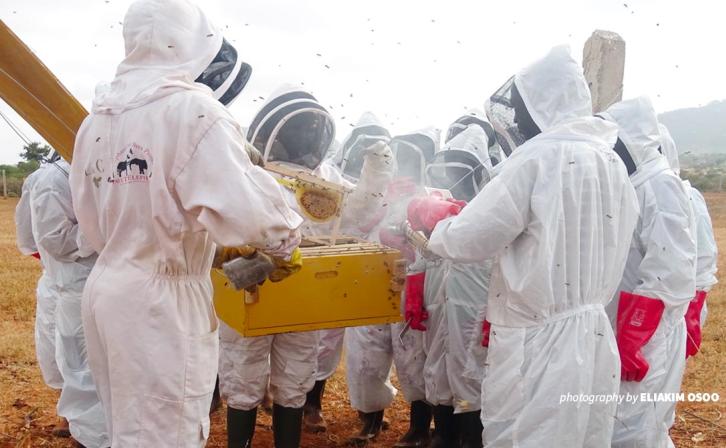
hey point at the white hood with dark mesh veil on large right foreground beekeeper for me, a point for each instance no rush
(553, 90)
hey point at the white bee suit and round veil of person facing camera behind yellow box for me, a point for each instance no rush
(292, 362)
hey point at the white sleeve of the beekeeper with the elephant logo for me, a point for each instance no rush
(237, 202)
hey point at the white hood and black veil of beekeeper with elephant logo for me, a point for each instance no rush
(170, 46)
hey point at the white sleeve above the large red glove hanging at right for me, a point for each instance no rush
(666, 270)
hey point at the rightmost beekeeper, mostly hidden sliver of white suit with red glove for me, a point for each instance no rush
(706, 249)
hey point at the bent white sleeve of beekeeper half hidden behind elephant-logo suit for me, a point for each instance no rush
(55, 223)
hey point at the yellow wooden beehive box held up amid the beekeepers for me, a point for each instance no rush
(345, 285)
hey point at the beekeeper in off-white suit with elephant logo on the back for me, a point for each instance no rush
(154, 168)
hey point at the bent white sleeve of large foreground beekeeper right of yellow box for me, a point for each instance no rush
(492, 220)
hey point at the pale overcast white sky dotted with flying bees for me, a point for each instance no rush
(412, 63)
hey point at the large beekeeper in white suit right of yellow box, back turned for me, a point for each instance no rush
(558, 219)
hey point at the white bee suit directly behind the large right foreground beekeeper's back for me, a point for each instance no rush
(661, 265)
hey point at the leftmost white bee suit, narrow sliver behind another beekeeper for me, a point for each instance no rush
(46, 302)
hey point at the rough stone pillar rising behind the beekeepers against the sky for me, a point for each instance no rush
(604, 63)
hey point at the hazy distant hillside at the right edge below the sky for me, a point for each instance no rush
(699, 129)
